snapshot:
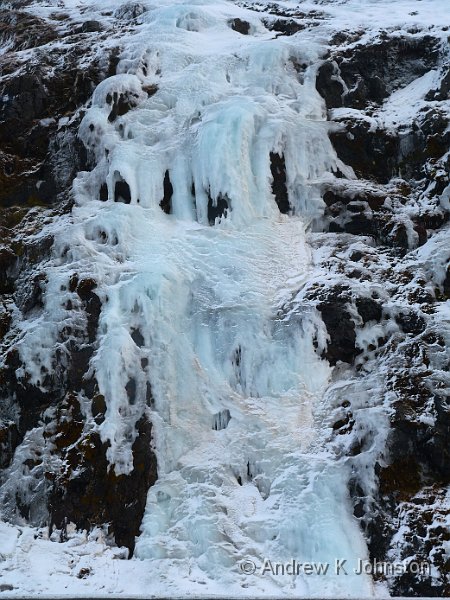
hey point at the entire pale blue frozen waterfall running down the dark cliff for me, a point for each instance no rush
(236, 383)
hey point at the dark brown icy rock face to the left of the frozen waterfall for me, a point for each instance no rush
(43, 96)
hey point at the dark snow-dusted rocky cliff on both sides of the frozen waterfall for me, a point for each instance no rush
(380, 285)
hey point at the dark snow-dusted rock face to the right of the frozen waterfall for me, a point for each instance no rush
(398, 202)
